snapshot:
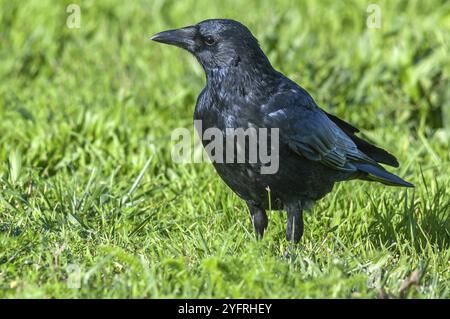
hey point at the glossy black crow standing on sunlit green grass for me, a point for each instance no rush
(316, 149)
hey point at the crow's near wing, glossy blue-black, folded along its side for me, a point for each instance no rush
(309, 132)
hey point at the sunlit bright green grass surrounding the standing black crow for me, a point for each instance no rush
(83, 110)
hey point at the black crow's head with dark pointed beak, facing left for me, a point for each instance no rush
(216, 43)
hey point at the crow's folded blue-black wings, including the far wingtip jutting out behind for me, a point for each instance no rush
(322, 137)
